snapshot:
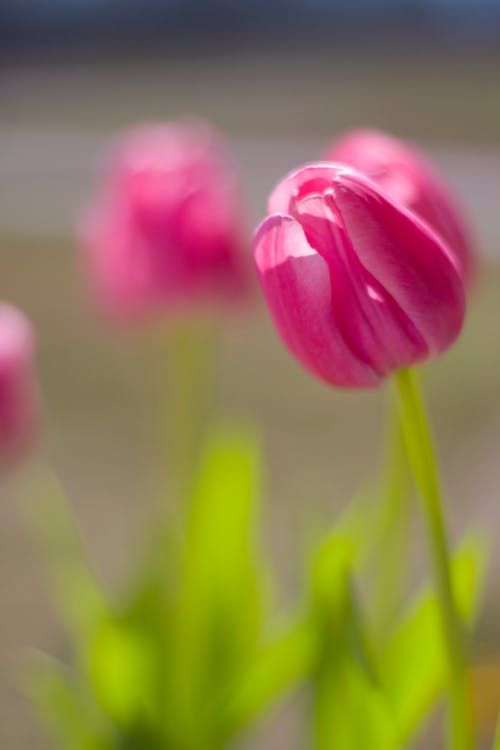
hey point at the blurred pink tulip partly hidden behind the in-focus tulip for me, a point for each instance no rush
(408, 177)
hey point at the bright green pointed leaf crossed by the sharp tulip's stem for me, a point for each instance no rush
(413, 670)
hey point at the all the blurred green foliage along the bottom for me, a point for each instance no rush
(191, 654)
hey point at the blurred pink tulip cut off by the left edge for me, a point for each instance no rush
(18, 391)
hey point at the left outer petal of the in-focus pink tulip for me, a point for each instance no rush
(296, 283)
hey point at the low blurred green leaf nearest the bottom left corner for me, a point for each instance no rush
(67, 712)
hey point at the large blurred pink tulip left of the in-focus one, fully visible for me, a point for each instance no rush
(166, 228)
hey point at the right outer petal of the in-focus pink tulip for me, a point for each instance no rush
(406, 257)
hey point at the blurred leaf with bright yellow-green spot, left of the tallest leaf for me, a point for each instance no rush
(129, 657)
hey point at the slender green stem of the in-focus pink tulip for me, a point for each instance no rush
(421, 456)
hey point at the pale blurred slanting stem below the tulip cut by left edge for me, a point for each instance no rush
(80, 598)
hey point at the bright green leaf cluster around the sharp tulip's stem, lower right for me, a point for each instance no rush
(395, 682)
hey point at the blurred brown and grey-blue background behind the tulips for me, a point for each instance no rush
(280, 78)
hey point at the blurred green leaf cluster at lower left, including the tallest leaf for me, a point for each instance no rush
(182, 659)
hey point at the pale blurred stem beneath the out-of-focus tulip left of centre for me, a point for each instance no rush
(182, 361)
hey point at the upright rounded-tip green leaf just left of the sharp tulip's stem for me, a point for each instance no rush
(349, 707)
